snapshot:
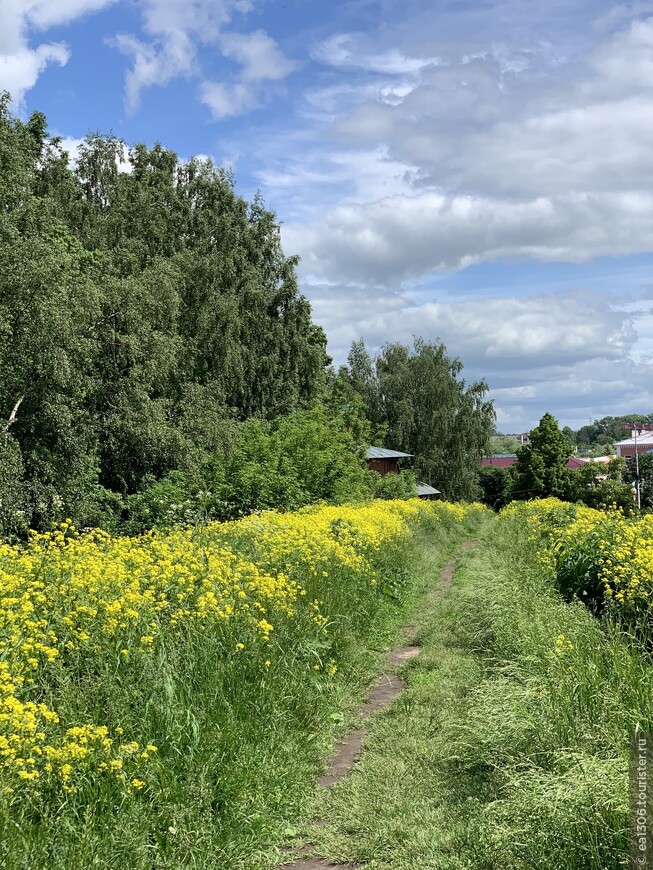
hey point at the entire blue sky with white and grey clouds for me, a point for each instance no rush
(475, 172)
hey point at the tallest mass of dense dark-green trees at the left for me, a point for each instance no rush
(141, 314)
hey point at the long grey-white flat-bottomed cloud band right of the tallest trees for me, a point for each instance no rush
(403, 237)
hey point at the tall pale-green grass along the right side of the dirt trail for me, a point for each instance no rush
(546, 727)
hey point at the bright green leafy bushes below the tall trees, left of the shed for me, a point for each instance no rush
(299, 459)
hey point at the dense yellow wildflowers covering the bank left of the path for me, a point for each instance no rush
(74, 603)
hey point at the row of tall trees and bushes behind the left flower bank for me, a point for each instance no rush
(158, 362)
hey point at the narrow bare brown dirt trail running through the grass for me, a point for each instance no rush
(346, 753)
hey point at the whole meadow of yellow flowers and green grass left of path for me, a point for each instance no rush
(166, 701)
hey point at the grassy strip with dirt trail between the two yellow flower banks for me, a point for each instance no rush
(508, 750)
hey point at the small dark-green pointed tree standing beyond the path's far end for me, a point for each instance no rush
(540, 470)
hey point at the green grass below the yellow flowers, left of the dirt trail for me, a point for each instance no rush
(239, 744)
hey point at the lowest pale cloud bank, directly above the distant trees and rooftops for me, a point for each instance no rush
(569, 352)
